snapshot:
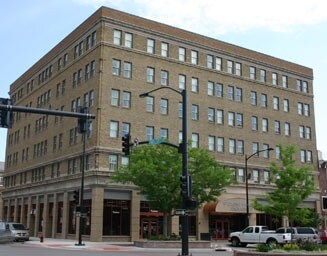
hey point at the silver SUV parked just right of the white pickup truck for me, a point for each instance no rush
(301, 234)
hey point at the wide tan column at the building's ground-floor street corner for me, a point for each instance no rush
(97, 214)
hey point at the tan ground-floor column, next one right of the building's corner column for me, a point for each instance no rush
(135, 216)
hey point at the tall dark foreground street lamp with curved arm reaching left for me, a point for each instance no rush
(184, 218)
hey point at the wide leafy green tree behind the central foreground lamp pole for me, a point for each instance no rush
(156, 171)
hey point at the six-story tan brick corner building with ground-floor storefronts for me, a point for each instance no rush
(240, 101)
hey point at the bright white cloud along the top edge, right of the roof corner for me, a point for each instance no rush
(220, 16)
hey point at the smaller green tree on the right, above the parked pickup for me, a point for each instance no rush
(293, 185)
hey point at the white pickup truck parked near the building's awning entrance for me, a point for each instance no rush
(258, 235)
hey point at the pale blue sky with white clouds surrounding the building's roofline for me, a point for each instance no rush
(293, 30)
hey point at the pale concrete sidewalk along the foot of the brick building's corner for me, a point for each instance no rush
(108, 246)
